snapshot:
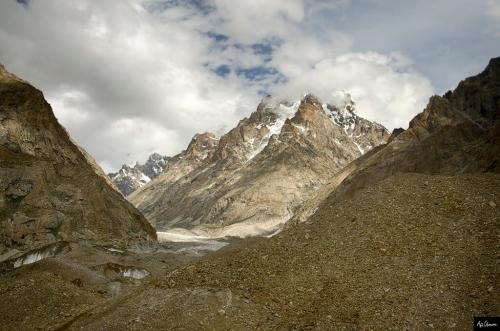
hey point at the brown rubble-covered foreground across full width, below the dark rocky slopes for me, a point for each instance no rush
(411, 252)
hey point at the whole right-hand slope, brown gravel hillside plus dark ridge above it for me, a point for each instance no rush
(409, 240)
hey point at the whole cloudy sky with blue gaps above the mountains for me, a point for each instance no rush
(132, 77)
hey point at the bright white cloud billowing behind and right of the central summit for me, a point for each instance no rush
(385, 87)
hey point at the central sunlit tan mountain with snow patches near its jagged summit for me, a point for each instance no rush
(255, 177)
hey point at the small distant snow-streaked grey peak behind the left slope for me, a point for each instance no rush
(130, 178)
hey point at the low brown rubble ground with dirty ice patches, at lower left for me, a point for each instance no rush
(76, 282)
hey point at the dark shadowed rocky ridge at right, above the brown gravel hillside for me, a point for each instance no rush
(456, 133)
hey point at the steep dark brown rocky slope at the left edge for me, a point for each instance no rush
(50, 189)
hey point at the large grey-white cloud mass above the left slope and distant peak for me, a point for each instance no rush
(101, 63)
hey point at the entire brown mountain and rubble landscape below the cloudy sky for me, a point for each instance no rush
(357, 229)
